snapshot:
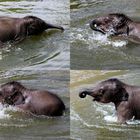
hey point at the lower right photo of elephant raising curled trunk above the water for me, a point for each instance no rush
(92, 119)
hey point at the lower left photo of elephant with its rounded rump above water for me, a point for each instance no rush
(17, 124)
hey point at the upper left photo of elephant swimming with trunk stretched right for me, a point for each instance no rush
(46, 50)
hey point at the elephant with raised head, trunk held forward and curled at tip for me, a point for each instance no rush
(125, 97)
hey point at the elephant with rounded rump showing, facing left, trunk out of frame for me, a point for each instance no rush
(30, 100)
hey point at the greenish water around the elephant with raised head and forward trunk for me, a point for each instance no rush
(92, 120)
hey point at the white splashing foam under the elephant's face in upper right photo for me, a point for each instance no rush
(95, 39)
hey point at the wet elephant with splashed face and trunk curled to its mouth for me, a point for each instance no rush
(116, 24)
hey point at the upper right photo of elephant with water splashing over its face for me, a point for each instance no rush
(104, 45)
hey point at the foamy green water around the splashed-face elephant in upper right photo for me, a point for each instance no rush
(92, 50)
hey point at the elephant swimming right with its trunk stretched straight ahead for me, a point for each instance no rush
(16, 29)
